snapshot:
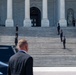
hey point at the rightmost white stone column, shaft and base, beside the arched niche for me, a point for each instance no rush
(61, 9)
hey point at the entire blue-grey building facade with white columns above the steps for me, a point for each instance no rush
(37, 13)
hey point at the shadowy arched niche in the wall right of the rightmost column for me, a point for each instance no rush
(70, 17)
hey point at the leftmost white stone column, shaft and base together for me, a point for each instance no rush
(9, 21)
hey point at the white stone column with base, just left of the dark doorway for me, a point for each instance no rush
(27, 21)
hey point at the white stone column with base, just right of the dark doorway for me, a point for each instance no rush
(45, 21)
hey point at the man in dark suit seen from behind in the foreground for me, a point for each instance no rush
(21, 63)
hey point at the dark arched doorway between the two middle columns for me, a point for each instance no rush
(35, 16)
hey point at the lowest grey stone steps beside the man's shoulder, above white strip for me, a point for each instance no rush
(54, 60)
